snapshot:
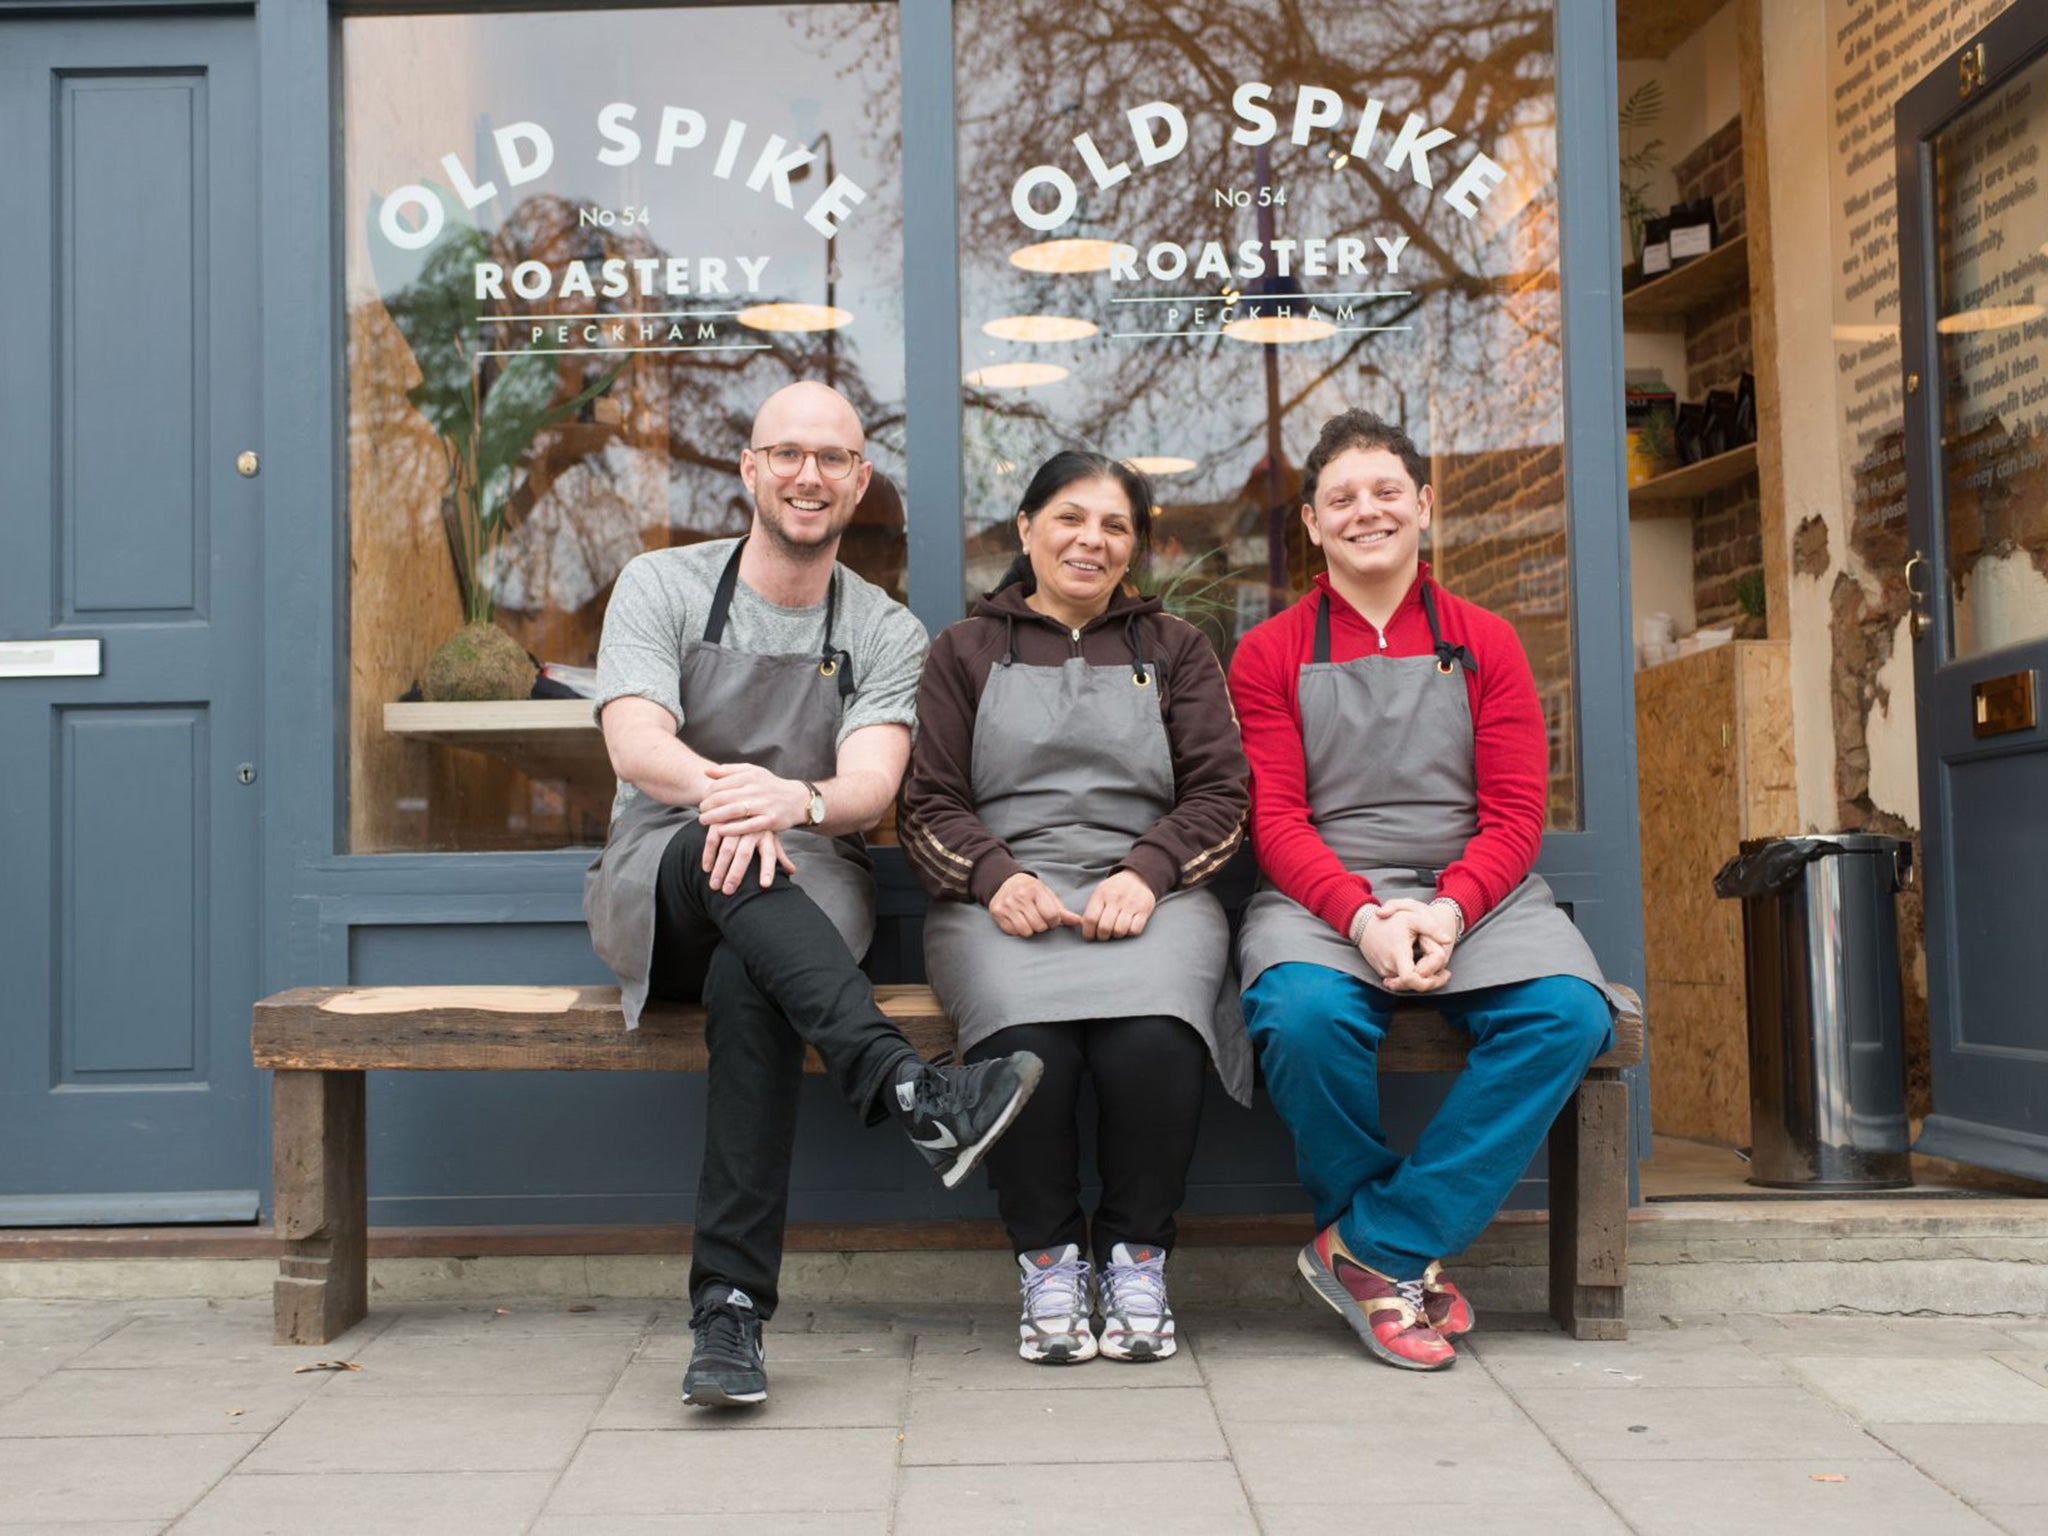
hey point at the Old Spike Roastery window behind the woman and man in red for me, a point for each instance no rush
(1189, 241)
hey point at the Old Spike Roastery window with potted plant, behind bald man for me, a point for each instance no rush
(581, 251)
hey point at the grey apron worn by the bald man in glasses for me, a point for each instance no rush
(777, 712)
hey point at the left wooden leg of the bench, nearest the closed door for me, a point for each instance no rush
(323, 1205)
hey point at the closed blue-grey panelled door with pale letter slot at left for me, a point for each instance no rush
(130, 820)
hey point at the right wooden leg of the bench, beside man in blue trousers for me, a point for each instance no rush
(1590, 1211)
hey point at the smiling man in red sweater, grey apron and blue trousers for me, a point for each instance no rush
(1398, 802)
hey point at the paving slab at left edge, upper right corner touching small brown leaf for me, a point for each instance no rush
(163, 1402)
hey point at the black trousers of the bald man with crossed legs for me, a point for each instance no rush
(773, 976)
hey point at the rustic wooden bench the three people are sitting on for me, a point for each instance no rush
(318, 1043)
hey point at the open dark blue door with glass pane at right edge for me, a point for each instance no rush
(1975, 331)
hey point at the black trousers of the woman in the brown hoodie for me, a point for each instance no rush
(1148, 1076)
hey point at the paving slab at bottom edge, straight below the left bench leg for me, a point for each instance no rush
(370, 1504)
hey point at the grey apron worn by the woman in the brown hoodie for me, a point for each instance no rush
(1070, 769)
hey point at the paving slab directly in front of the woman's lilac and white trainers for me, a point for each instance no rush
(1144, 1424)
